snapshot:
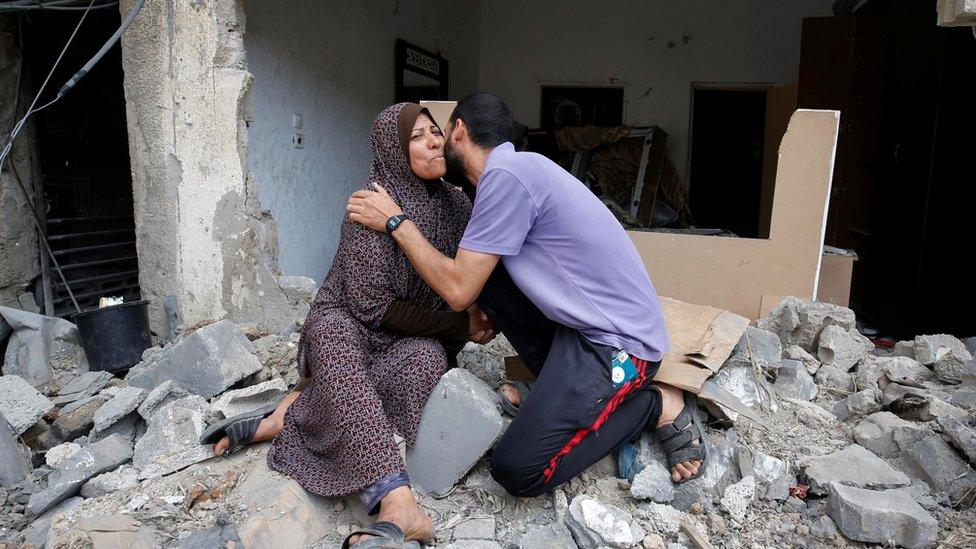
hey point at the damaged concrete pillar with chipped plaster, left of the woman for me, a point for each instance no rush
(201, 235)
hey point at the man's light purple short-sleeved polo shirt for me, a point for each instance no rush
(567, 253)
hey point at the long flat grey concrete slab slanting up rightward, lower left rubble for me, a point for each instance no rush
(97, 457)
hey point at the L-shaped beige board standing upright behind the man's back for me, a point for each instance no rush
(735, 273)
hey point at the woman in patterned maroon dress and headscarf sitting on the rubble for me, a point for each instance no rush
(372, 345)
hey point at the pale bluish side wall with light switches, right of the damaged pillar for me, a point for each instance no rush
(333, 63)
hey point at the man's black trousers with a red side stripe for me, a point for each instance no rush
(574, 416)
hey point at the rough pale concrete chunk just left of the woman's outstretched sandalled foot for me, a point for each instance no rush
(172, 437)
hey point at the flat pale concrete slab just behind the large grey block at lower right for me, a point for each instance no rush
(852, 466)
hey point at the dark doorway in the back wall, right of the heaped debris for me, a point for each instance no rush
(726, 155)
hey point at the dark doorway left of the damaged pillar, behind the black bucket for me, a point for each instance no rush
(82, 145)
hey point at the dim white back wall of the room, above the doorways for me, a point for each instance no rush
(525, 44)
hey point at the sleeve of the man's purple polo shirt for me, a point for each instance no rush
(502, 216)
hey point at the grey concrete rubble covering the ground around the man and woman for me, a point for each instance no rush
(854, 445)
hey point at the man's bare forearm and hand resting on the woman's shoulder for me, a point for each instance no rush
(459, 281)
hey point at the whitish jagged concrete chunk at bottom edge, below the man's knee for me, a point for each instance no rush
(596, 524)
